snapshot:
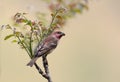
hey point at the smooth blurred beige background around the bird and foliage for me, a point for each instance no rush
(90, 51)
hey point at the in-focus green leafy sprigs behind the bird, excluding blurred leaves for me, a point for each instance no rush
(28, 34)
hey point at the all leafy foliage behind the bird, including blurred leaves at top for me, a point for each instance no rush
(29, 33)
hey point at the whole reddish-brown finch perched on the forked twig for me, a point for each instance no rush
(46, 46)
